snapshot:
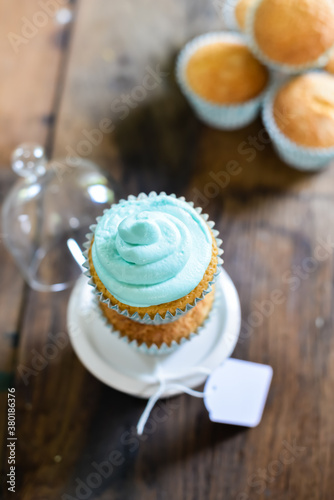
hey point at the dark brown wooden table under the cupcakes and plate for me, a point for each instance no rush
(277, 226)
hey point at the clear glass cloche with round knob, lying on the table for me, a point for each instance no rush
(47, 214)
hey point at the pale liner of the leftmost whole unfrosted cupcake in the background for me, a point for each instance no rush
(223, 117)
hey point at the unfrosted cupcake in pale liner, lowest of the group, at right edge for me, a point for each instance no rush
(299, 117)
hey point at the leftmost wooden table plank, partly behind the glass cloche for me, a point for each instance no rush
(26, 112)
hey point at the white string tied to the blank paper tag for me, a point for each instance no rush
(163, 386)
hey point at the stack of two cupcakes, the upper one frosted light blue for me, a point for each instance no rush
(153, 261)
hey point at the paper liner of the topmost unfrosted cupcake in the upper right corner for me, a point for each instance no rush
(320, 62)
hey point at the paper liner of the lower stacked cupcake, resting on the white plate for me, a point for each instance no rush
(164, 349)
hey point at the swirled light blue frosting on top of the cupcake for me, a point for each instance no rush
(151, 250)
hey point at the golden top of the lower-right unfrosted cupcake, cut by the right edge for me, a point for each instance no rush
(304, 109)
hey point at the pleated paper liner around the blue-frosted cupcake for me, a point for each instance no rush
(169, 316)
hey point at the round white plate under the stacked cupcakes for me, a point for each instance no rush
(123, 367)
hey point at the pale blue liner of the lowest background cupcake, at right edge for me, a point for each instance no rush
(299, 157)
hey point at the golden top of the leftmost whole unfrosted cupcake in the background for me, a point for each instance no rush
(226, 72)
